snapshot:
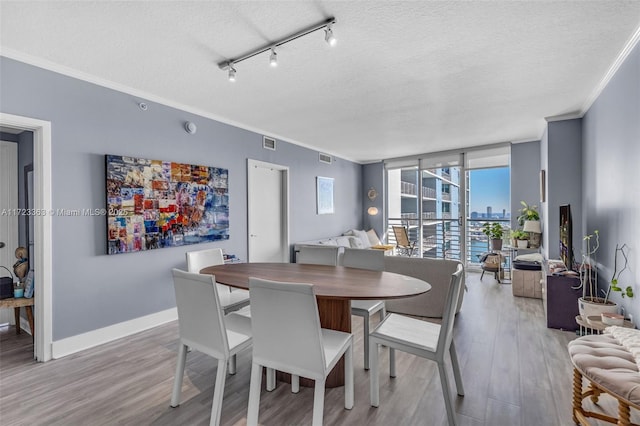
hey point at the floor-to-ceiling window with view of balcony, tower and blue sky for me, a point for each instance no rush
(437, 197)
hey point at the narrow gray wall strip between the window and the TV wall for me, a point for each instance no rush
(525, 177)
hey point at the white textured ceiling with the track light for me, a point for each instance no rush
(406, 77)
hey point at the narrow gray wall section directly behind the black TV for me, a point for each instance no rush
(564, 177)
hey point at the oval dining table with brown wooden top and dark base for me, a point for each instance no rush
(334, 287)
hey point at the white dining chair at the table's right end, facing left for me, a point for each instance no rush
(423, 339)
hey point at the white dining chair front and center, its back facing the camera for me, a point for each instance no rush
(287, 337)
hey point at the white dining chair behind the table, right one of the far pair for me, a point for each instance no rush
(365, 259)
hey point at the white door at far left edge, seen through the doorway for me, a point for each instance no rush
(8, 214)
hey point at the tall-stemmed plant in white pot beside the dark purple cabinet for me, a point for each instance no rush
(590, 304)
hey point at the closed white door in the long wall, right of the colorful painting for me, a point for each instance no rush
(267, 212)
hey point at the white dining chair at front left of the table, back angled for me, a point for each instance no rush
(204, 328)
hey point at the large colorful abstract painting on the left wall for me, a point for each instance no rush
(154, 204)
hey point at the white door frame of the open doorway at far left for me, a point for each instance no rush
(43, 259)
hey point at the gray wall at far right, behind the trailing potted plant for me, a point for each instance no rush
(611, 175)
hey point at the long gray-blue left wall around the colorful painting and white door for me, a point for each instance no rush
(93, 290)
